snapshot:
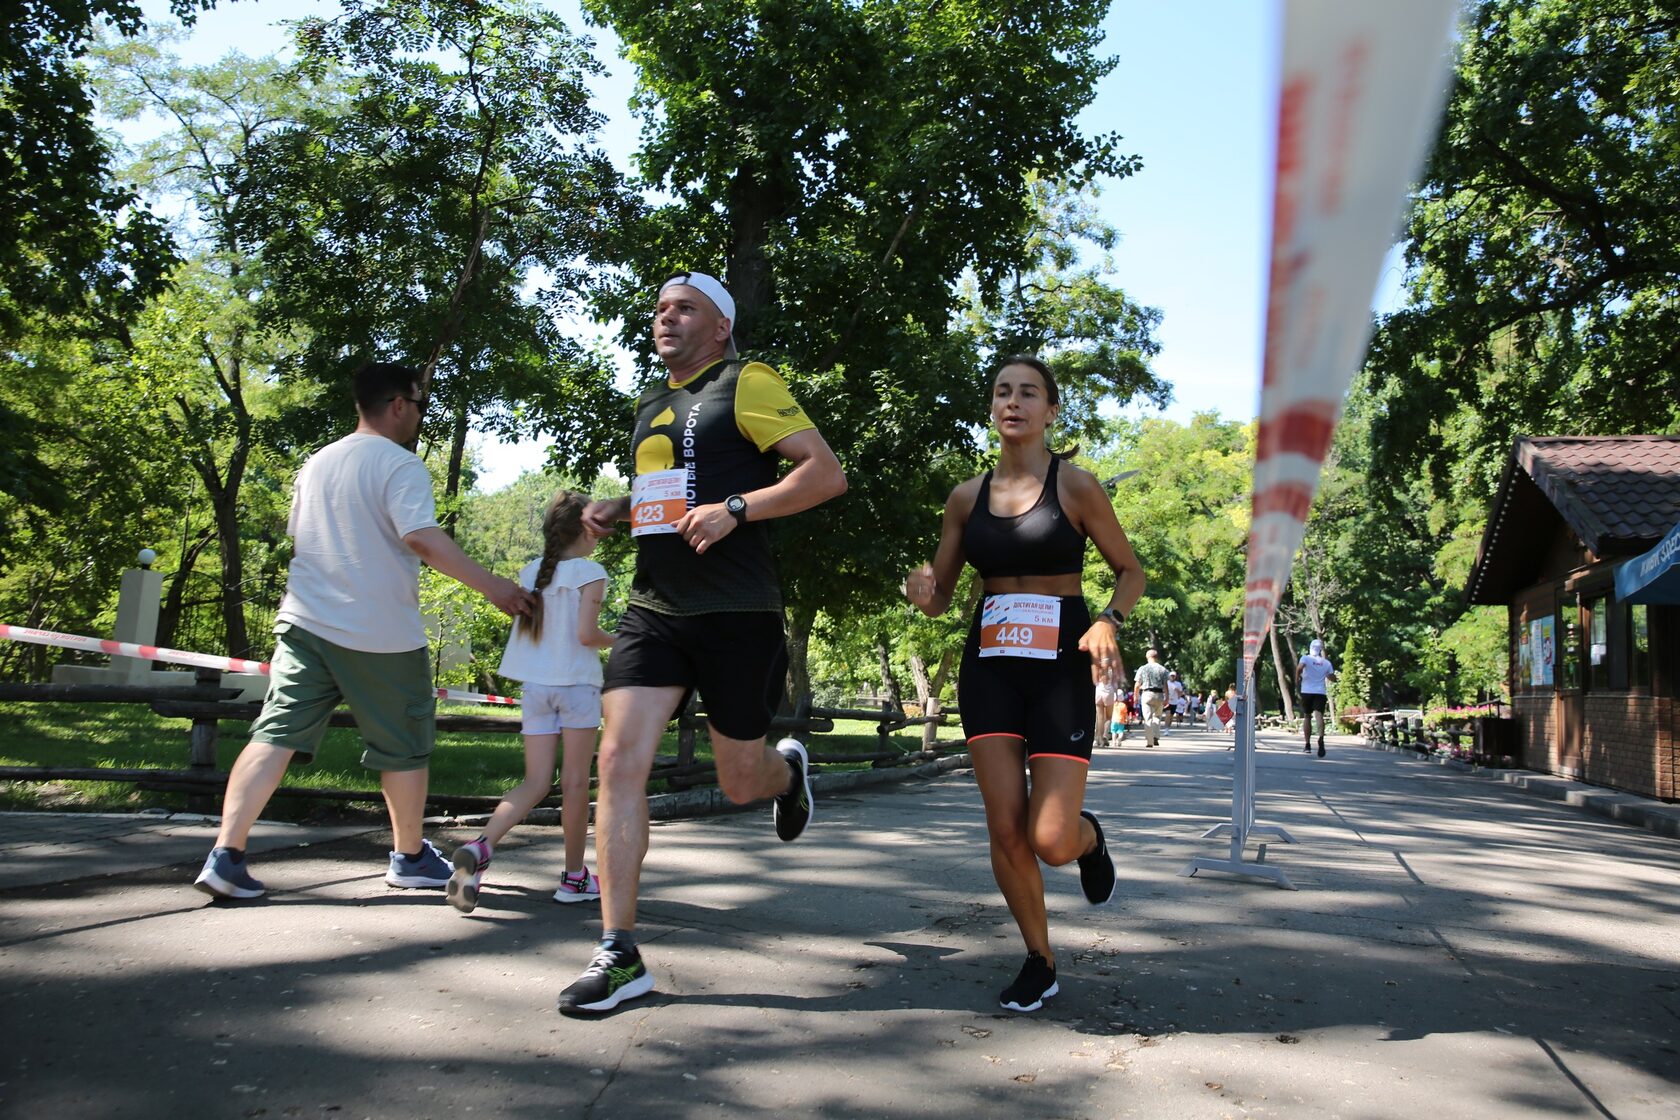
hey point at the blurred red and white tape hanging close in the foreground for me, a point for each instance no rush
(1360, 102)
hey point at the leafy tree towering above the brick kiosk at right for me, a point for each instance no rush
(1545, 243)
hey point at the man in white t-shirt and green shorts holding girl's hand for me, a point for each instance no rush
(350, 631)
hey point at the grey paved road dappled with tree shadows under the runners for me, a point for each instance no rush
(1457, 950)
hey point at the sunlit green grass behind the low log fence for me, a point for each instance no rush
(132, 736)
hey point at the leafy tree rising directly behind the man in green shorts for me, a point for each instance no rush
(411, 221)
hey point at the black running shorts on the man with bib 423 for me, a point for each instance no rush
(737, 661)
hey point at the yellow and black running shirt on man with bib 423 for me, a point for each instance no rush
(720, 429)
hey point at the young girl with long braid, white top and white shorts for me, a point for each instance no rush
(555, 654)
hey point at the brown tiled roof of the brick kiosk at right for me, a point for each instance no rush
(1617, 493)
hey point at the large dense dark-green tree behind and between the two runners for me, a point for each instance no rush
(841, 164)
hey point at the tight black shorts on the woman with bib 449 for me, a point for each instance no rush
(1049, 704)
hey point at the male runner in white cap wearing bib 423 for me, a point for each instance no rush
(705, 605)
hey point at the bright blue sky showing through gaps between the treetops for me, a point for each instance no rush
(1192, 95)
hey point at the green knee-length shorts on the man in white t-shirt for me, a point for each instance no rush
(391, 696)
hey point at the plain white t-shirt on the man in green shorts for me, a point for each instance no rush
(352, 580)
